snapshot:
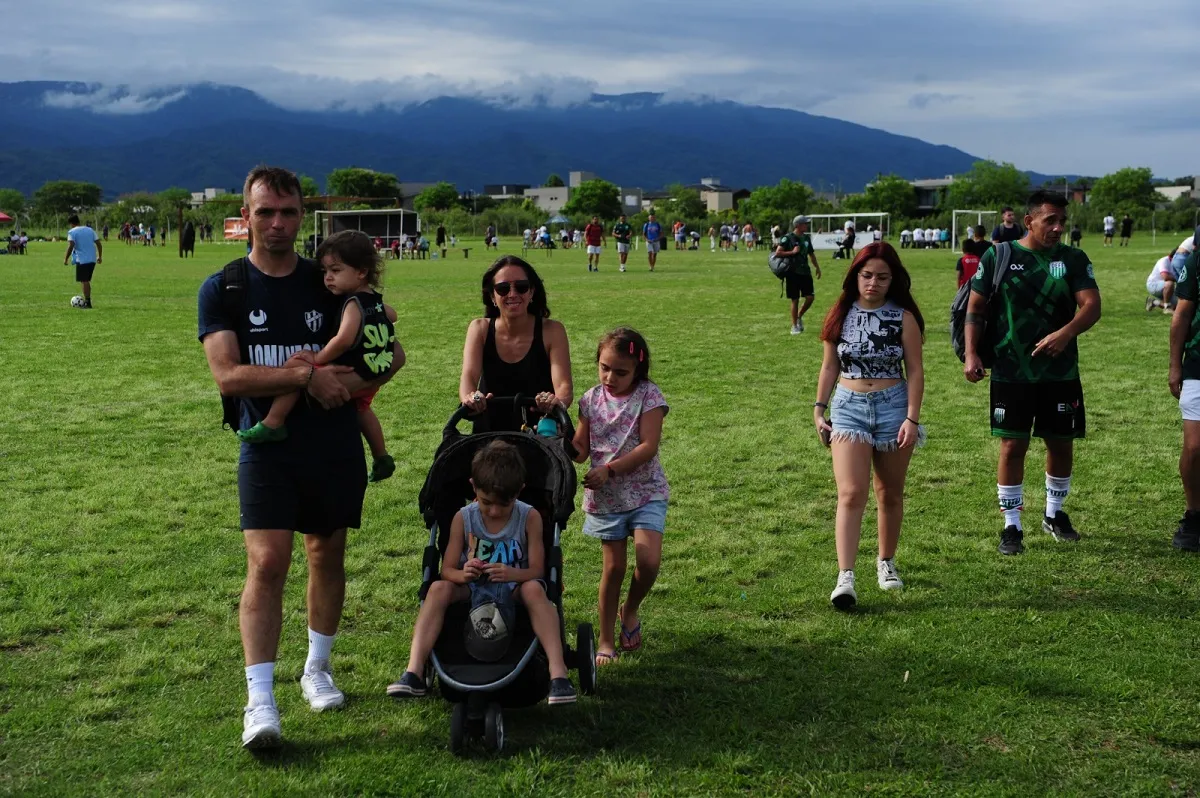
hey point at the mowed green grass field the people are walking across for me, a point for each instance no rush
(1069, 670)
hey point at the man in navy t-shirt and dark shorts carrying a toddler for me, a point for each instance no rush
(314, 482)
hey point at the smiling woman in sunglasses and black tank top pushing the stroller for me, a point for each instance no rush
(515, 350)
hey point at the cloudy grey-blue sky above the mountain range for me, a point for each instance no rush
(1070, 87)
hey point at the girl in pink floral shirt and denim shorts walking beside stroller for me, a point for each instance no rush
(626, 496)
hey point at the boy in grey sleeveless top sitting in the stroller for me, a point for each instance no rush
(497, 544)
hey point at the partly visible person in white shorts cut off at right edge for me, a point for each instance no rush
(1185, 382)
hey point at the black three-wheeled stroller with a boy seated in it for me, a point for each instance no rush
(521, 679)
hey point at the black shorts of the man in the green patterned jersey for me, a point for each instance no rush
(1048, 410)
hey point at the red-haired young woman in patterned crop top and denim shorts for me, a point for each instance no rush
(873, 338)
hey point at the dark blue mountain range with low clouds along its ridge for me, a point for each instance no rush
(209, 135)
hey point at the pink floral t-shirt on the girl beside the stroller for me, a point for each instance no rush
(615, 430)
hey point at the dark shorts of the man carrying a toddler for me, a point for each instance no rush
(314, 499)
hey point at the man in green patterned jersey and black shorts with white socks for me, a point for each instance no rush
(1047, 298)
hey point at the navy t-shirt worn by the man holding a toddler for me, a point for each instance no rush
(286, 315)
